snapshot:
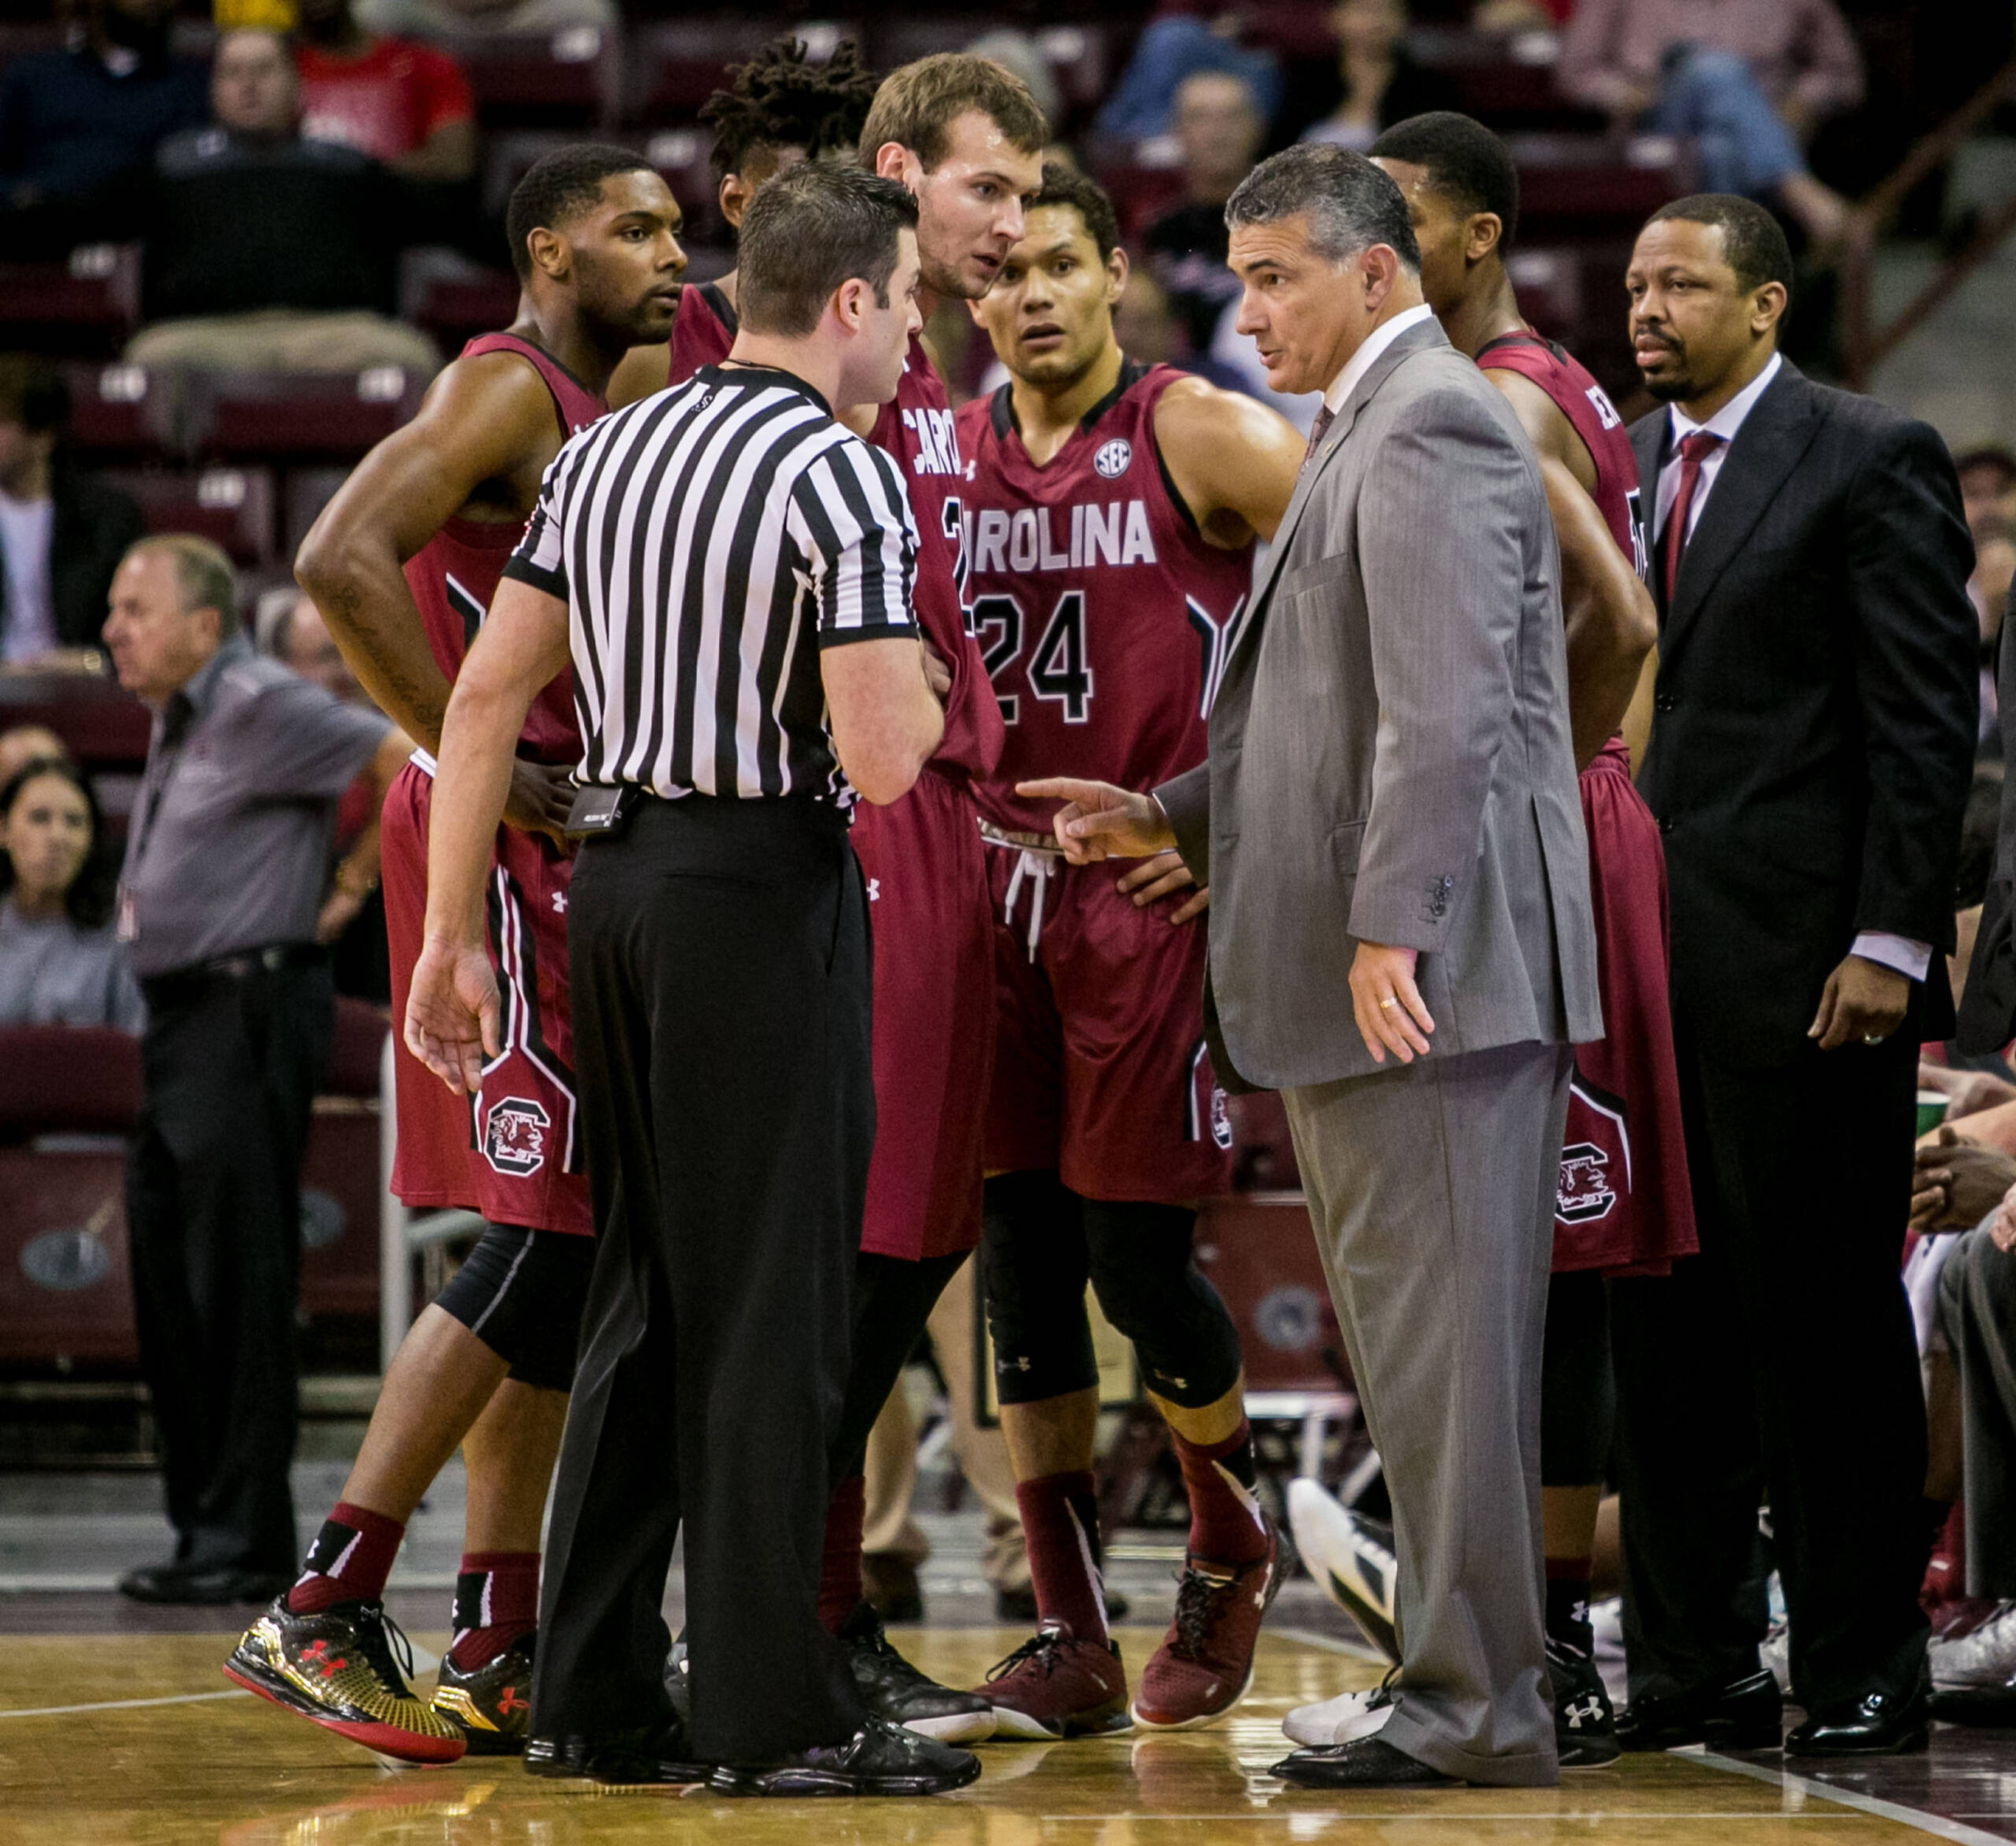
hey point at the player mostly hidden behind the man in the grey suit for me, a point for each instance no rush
(1624, 1202)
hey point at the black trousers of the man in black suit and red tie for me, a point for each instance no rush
(1779, 1365)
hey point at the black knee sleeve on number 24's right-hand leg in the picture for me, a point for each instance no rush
(1152, 1291)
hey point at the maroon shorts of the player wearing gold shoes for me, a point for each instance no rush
(513, 1152)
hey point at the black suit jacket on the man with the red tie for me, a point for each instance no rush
(1815, 712)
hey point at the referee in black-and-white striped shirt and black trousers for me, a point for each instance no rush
(729, 571)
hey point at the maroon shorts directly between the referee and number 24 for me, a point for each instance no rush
(934, 1019)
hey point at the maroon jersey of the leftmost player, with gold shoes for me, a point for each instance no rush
(455, 575)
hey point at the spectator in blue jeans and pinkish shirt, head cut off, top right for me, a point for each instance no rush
(1747, 80)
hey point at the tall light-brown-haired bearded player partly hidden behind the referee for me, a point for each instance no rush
(967, 138)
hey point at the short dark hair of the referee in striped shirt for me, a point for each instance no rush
(809, 233)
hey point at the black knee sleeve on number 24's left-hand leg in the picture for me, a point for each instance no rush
(1035, 1269)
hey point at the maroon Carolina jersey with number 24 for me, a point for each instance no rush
(1102, 610)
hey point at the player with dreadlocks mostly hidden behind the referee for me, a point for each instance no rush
(775, 112)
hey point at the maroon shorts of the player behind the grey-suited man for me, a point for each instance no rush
(1624, 1202)
